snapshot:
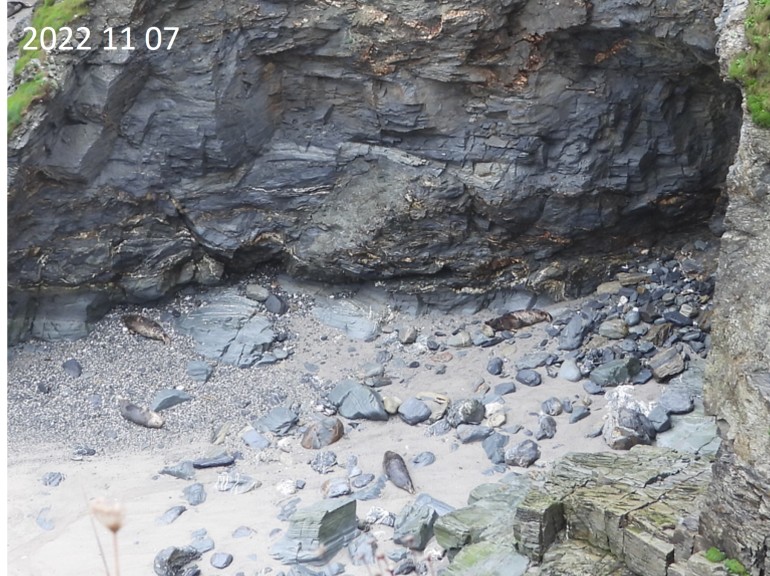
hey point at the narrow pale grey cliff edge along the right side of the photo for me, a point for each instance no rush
(737, 515)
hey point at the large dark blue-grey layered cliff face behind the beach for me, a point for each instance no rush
(469, 143)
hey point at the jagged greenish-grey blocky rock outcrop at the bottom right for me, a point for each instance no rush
(632, 512)
